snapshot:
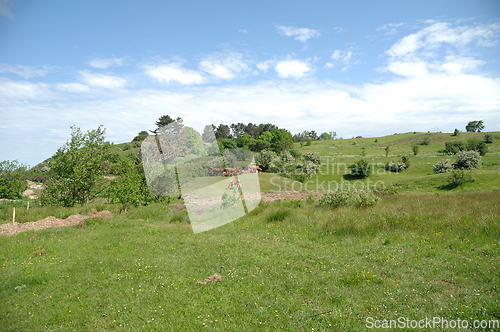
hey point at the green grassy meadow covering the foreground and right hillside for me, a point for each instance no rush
(289, 265)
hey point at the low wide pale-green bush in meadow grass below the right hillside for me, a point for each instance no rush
(334, 199)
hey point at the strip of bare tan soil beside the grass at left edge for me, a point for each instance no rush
(51, 222)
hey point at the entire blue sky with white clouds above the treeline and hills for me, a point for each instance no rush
(369, 68)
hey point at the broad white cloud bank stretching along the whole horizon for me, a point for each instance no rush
(405, 104)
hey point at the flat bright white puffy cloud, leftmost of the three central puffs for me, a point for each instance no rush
(173, 72)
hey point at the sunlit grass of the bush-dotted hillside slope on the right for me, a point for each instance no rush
(418, 178)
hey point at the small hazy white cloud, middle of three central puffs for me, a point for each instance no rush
(224, 65)
